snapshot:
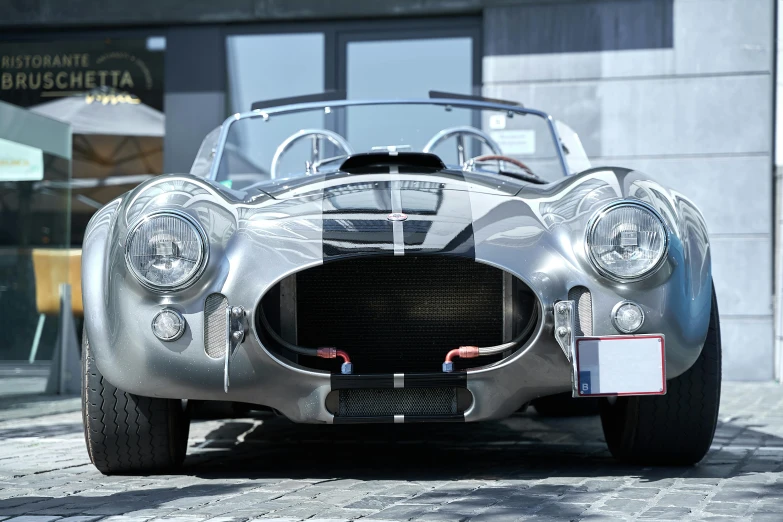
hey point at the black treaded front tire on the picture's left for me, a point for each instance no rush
(127, 433)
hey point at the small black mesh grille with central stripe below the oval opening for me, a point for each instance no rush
(397, 401)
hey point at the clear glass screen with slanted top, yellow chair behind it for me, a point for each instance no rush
(35, 198)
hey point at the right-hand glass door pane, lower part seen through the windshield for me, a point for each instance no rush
(405, 64)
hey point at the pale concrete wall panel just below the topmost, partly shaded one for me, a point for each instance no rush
(651, 117)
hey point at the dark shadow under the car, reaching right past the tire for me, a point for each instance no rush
(524, 446)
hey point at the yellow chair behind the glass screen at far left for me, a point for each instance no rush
(52, 268)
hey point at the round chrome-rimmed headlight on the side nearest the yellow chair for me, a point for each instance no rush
(166, 251)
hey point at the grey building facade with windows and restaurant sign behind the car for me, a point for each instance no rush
(681, 89)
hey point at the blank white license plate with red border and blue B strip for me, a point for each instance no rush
(620, 365)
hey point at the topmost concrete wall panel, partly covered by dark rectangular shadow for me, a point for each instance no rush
(709, 37)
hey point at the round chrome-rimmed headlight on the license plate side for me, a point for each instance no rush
(627, 241)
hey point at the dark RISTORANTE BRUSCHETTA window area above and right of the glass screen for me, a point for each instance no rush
(111, 93)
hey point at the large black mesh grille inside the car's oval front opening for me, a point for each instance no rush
(399, 314)
